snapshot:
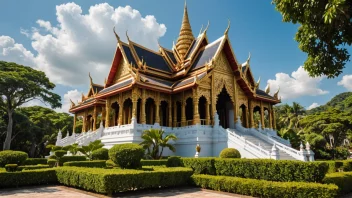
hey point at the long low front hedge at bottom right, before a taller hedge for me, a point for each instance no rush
(262, 188)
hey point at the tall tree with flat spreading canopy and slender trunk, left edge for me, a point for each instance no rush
(20, 84)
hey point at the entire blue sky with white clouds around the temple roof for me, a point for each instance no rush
(67, 40)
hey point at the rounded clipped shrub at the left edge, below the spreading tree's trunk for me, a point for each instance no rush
(12, 157)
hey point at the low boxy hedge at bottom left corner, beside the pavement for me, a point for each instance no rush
(30, 177)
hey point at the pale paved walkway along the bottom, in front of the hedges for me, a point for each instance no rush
(66, 192)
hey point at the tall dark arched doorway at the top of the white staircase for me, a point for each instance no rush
(224, 108)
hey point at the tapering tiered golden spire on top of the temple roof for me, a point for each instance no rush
(186, 37)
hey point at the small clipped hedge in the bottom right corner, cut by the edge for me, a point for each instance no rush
(343, 180)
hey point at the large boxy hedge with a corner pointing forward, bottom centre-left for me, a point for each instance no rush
(108, 181)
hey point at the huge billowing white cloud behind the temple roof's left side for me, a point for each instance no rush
(81, 43)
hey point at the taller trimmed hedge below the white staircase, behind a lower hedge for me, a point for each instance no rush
(272, 170)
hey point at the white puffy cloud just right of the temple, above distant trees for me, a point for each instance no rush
(297, 85)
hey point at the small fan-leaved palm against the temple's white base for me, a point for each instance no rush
(153, 139)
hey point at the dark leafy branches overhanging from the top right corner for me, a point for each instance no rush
(325, 31)
